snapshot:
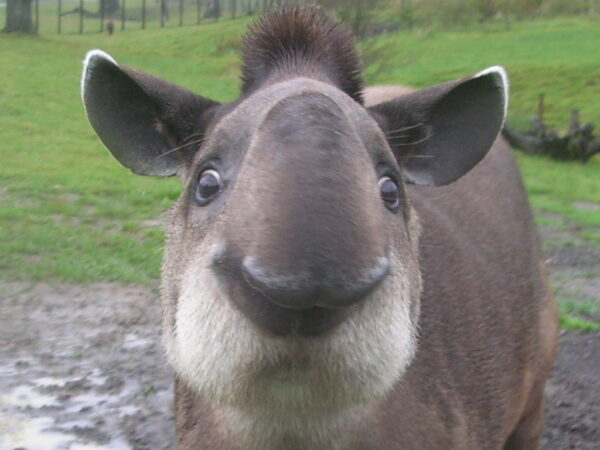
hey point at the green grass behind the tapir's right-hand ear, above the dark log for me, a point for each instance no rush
(559, 58)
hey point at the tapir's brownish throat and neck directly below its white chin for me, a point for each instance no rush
(213, 427)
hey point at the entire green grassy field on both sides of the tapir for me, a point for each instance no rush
(69, 212)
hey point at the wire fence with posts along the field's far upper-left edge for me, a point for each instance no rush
(81, 16)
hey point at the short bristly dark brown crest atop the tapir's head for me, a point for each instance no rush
(302, 41)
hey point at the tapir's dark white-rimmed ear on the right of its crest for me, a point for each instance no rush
(440, 133)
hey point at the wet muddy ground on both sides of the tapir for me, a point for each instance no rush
(83, 368)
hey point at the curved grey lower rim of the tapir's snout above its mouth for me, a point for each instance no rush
(301, 290)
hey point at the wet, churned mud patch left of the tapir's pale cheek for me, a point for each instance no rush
(82, 367)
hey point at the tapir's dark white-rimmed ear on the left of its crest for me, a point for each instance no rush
(141, 118)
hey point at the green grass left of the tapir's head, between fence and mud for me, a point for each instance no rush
(68, 211)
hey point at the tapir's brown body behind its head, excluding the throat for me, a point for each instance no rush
(486, 310)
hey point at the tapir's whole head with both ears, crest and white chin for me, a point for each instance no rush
(291, 273)
